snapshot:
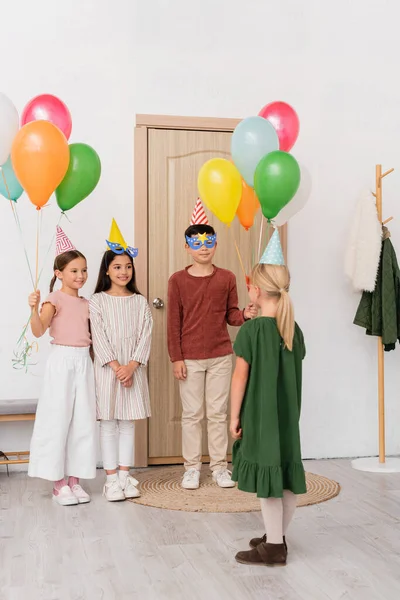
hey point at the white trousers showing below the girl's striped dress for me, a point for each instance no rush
(113, 450)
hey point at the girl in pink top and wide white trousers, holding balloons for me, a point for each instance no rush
(63, 441)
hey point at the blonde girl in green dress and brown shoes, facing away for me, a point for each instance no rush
(265, 411)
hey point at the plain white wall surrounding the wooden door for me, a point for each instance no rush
(337, 66)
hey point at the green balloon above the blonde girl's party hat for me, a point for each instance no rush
(276, 180)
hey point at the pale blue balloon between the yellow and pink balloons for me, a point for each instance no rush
(252, 139)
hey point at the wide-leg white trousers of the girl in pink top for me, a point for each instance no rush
(64, 436)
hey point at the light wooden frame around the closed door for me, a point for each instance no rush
(143, 124)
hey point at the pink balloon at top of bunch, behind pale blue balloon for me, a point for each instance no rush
(285, 121)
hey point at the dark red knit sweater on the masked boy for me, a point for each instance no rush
(199, 309)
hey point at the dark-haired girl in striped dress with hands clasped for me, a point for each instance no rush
(121, 325)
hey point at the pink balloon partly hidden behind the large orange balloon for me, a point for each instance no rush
(48, 108)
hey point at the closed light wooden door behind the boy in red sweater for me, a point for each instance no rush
(174, 160)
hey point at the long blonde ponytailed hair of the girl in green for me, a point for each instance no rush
(274, 280)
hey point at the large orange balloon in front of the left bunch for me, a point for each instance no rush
(40, 157)
